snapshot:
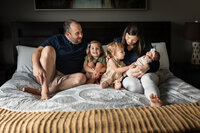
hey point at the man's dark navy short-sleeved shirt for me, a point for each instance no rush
(69, 57)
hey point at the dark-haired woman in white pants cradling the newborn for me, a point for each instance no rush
(143, 79)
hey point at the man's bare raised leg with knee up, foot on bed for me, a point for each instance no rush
(47, 60)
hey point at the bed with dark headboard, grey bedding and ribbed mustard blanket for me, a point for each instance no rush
(87, 108)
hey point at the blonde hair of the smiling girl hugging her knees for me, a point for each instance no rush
(89, 56)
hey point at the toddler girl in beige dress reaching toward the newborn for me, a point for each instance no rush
(115, 67)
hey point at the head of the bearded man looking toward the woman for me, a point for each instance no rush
(75, 35)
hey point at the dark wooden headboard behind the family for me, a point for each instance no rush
(34, 33)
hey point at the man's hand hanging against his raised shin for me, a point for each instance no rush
(40, 74)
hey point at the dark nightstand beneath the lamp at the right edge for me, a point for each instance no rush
(188, 72)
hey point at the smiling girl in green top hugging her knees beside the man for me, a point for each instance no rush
(95, 62)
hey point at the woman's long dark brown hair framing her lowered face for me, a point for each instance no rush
(135, 29)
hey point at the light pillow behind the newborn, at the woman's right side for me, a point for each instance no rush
(161, 48)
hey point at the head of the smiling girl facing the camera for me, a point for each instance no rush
(94, 50)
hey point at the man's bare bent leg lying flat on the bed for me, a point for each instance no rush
(73, 80)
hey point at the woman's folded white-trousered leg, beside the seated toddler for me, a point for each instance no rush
(132, 84)
